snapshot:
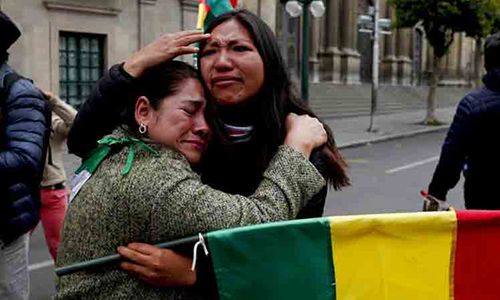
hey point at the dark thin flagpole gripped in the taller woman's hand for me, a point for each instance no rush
(115, 258)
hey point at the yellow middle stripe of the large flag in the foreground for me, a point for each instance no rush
(393, 256)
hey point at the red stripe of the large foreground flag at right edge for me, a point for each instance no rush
(477, 263)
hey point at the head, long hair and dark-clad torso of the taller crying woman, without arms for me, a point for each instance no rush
(241, 44)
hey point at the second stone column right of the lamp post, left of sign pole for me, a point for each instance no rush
(350, 58)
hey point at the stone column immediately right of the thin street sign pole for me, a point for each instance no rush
(389, 61)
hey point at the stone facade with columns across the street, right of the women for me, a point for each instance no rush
(340, 54)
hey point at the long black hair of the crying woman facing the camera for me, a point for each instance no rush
(277, 98)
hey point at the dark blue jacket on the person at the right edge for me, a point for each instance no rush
(472, 139)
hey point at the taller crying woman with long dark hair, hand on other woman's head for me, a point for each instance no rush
(244, 73)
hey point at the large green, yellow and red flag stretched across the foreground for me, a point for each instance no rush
(401, 256)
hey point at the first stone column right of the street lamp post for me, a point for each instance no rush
(330, 54)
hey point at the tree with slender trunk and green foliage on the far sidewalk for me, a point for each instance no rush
(441, 19)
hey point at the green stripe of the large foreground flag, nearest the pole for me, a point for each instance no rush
(284, 260)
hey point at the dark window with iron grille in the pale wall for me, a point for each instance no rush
(81, 64)
